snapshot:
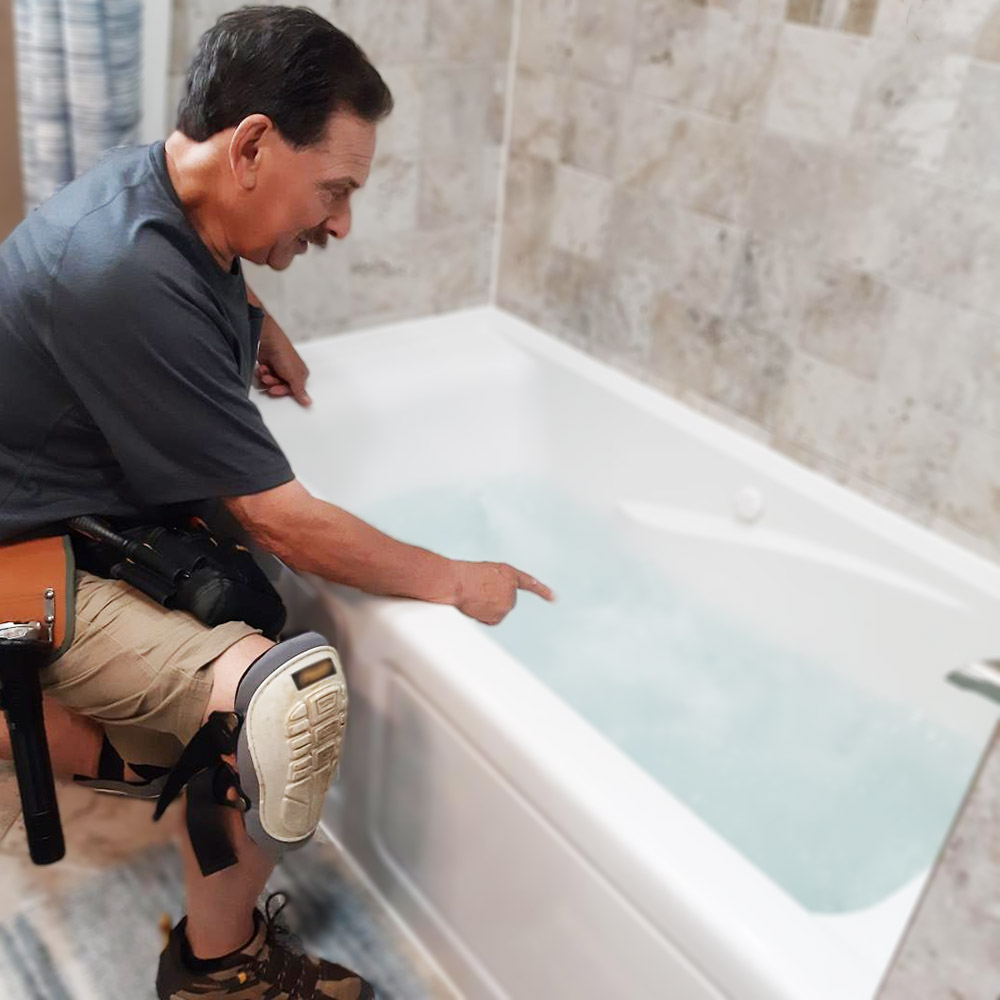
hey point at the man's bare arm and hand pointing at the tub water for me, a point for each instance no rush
(317, 537)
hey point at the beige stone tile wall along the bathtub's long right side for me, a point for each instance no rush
(784, 212)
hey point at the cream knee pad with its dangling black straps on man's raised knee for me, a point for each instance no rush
(286, 729)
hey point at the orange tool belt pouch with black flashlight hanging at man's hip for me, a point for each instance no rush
(36, 624)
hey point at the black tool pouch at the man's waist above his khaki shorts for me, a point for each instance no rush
(184, 568)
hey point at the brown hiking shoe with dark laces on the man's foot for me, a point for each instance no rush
(261, 969)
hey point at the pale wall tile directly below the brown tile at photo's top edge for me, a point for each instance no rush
(817, 83)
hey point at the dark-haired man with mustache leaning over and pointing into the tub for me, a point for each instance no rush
(128, 348)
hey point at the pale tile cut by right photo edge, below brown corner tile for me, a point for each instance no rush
(973, 154)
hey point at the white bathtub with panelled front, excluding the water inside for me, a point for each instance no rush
(527, 855)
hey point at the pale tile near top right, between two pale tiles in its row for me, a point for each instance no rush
(909, 102)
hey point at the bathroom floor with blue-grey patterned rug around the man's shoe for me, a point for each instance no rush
(87, 928)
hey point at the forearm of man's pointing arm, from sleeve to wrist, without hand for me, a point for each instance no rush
(332, 543)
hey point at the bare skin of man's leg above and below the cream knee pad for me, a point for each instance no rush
(220, 907)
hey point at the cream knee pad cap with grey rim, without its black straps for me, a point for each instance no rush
(293, 702)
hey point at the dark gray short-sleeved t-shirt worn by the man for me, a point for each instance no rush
(126, 357)
